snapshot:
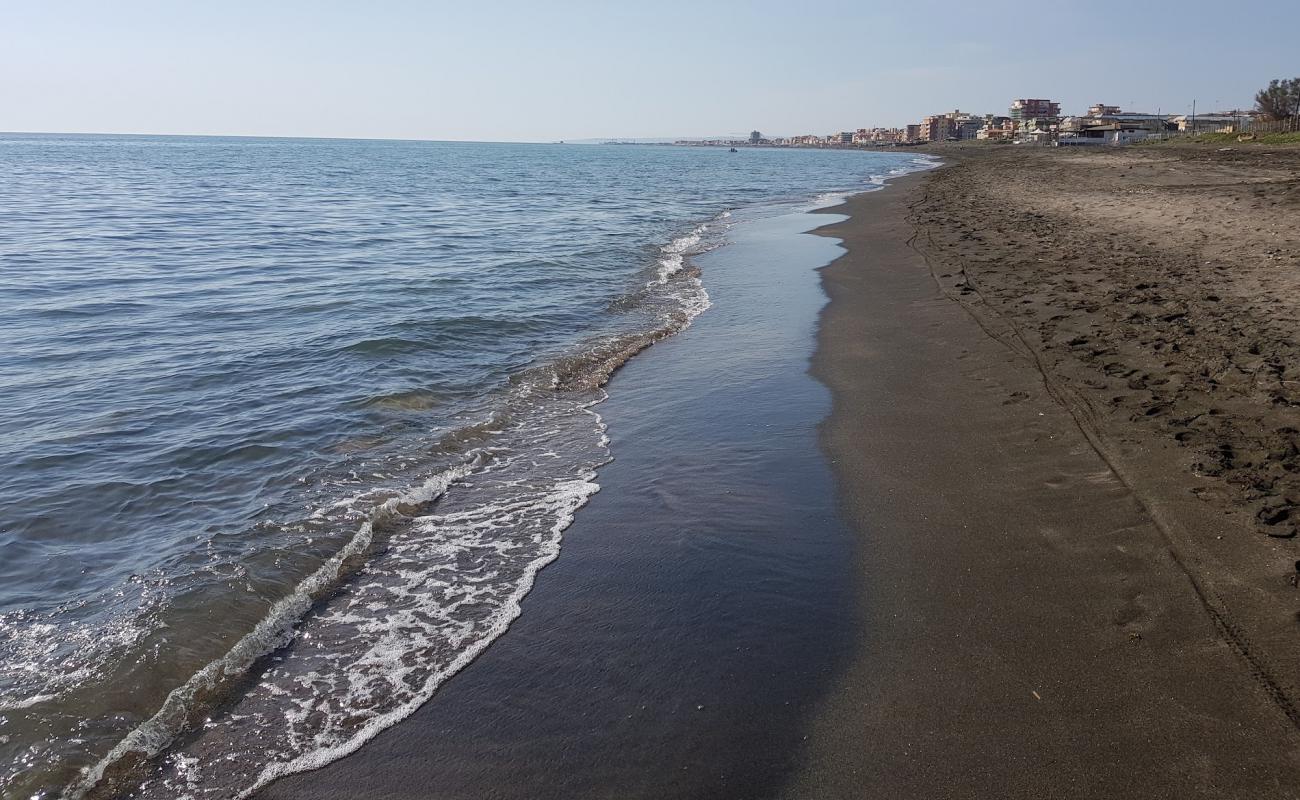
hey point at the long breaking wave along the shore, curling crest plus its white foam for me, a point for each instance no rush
(424, 585)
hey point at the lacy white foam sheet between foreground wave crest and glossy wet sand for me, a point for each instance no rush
(441, 590)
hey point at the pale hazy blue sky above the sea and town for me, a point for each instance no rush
(508, 71)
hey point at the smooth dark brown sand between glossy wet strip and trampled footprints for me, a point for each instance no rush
(1035, 624)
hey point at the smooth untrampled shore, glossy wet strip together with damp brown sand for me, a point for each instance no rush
(944, 582)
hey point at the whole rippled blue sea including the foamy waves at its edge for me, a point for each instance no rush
(291, 426)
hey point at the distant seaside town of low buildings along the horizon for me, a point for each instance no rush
(1026, 122)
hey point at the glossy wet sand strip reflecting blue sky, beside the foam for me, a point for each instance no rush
(703, 602)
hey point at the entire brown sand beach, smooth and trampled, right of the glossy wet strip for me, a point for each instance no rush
(1067, 408)
